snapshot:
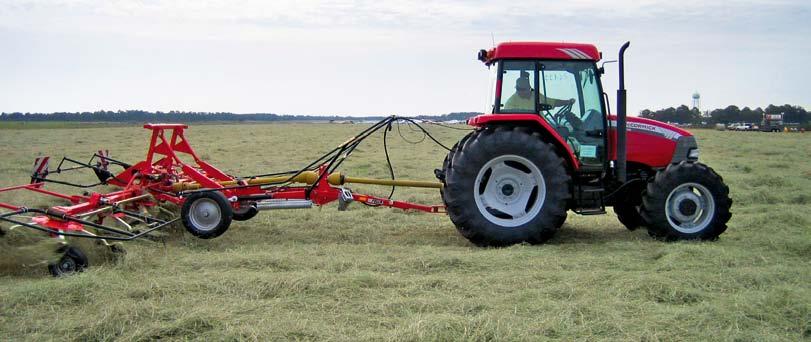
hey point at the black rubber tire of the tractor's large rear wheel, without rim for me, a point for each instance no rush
(460, 191)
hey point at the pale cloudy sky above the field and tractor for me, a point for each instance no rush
(384, 57)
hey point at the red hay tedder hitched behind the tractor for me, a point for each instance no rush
(209, 199)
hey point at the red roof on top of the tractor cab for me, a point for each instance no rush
(540, 50)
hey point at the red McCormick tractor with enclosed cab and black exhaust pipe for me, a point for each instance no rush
(549, 144)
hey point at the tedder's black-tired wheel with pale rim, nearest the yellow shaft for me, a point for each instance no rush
(206, 214)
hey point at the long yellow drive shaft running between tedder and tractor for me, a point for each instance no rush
(309, 177)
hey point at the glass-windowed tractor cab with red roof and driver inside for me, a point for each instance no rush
(559, 83)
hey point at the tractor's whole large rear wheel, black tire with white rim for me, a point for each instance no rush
(504, 185)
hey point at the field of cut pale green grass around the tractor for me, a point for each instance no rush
(381, 274)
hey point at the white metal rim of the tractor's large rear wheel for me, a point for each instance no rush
(509, 190)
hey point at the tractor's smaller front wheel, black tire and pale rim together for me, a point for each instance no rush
(686, 201)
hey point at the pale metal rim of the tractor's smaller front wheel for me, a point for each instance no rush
(690, 208)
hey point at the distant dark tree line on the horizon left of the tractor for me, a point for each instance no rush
(179, 116)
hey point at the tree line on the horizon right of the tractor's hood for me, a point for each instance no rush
(684, 115)
